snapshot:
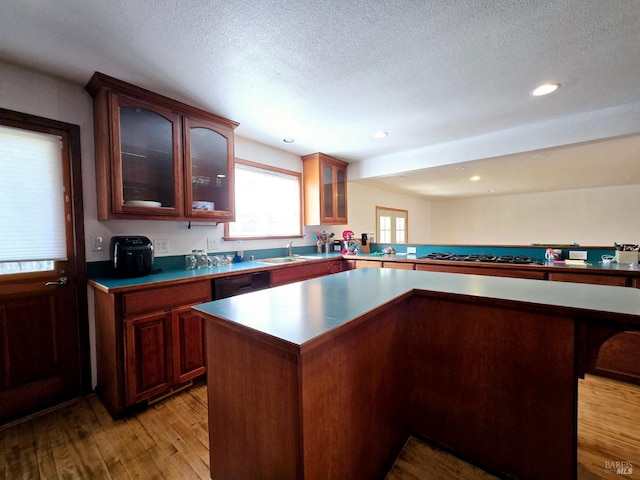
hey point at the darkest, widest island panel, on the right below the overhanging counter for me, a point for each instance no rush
(495, 383)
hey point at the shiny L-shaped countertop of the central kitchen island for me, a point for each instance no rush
(301, 312)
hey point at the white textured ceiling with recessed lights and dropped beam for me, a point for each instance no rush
(449, 81)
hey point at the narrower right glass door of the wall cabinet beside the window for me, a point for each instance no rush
(209, 169)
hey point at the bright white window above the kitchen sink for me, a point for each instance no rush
(268, 202)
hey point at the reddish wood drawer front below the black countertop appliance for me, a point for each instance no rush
(159, 298)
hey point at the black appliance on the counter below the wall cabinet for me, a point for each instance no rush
(131, 256)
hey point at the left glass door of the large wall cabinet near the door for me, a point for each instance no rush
(146, 173)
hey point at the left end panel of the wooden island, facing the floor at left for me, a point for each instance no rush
(253, 399)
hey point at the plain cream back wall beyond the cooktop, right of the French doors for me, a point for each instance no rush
(589, 217)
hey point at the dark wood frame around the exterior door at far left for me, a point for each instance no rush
(15, 119)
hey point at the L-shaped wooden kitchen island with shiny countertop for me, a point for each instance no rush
(328, 377)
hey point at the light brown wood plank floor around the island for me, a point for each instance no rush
(170, 441)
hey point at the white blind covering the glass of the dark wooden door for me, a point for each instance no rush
(32, 217)
